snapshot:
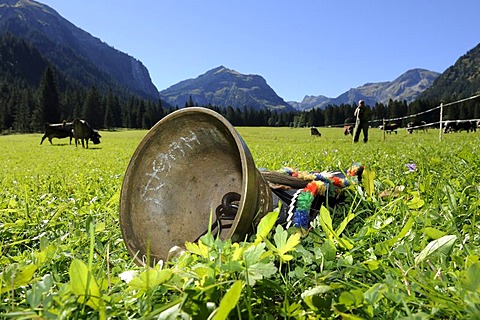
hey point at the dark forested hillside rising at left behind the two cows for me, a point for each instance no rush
(32, 92)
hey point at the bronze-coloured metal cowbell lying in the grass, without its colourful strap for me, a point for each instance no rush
(179, 176)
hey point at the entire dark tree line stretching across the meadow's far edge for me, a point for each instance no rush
(26, 109)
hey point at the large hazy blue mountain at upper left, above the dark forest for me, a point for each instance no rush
(77, 53)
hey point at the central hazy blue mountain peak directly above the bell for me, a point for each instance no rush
(223, 87)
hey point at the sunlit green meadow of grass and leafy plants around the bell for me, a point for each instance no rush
(404, 245)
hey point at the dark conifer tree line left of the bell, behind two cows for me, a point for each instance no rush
(26, 109)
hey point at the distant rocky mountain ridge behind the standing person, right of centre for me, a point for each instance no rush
(407, 87)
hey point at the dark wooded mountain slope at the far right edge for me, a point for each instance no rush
(459, 81)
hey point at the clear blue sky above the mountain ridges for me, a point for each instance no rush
(300, 47)
